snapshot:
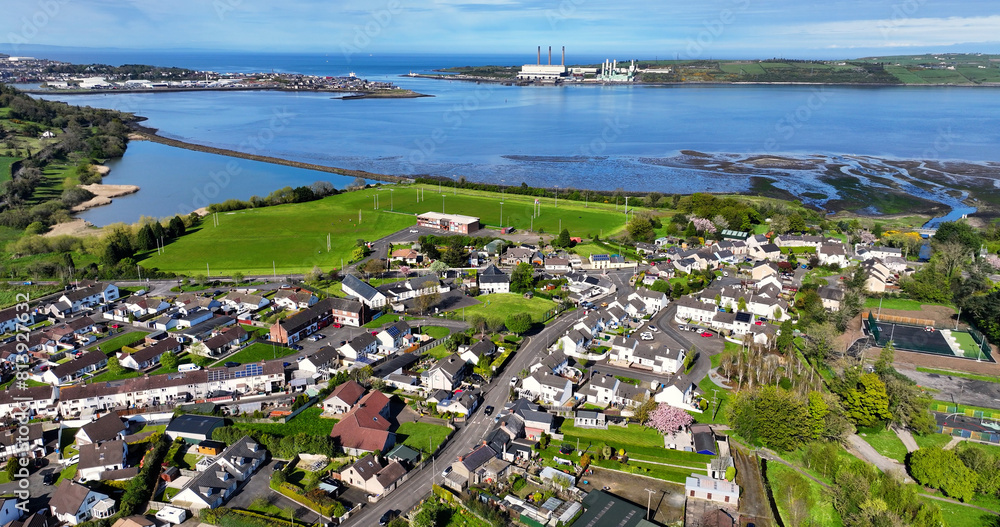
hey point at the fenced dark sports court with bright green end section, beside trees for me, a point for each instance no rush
(926, 338)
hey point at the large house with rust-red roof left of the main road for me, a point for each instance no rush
(365, 428)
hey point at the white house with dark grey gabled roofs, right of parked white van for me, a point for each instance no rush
(211, 487)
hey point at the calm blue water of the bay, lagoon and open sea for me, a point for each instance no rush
(571, 136)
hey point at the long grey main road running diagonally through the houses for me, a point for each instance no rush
(412, 491)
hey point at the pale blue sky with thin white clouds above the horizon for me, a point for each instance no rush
(667, 29)
